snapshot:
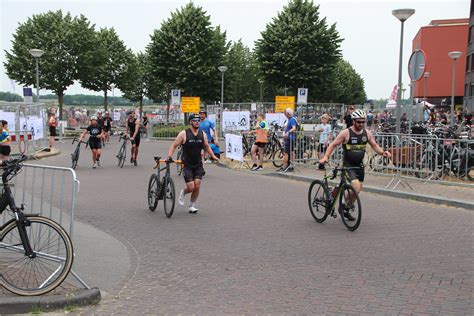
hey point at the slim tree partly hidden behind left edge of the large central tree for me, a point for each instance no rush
(133, 80)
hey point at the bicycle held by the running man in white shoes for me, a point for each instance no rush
(162, 188)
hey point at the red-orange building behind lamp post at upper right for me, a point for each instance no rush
(436, 40)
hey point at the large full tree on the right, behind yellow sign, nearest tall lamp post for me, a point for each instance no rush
(298, 49)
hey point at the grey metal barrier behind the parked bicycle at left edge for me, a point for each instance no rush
(48, 191)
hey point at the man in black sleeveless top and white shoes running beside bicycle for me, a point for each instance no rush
(193, 141)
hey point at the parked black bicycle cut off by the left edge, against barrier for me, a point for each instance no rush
(36, 253)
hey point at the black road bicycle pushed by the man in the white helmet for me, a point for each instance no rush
(322, 199)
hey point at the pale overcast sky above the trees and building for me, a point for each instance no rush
(371, 34)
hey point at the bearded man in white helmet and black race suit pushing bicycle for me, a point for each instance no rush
(354, 140)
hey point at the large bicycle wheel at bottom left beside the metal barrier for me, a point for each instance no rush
(48, 269)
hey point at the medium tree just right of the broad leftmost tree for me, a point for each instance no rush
(107, 63)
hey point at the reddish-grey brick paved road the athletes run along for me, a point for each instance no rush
(254, 248)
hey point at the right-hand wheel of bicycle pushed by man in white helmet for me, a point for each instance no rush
(351, 211)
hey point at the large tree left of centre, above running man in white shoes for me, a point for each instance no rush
(185, 53)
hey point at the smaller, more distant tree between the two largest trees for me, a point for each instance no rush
(241, 78)
